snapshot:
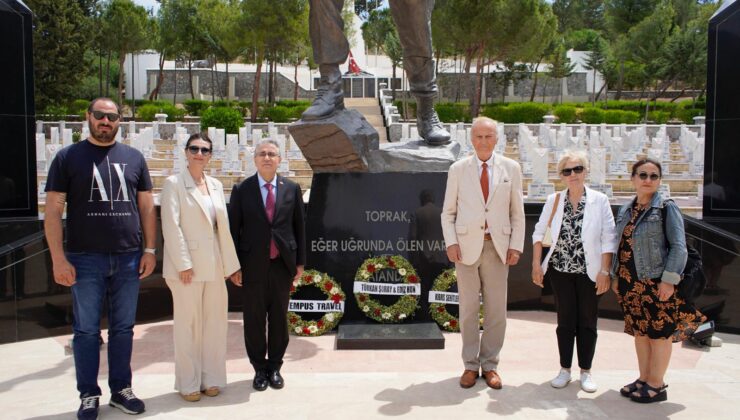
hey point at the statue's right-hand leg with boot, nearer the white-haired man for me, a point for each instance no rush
(413, 20)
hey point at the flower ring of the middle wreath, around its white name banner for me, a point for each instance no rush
(406, 304)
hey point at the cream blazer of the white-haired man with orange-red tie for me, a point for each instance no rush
(464, 213)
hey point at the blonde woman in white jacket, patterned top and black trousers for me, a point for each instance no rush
(577, 264)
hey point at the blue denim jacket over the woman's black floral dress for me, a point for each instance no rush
(657, 254)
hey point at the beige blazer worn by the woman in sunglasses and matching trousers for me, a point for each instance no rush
(189, 236)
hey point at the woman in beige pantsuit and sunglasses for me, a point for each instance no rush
(198, 254)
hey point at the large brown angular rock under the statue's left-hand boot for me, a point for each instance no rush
(340, 143)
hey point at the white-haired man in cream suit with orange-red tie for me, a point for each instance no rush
(483, 226)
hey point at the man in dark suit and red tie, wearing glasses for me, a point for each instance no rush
(266, 221)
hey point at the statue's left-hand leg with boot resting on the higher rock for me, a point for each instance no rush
(330, 49)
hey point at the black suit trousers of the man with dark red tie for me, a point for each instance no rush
(265, 316)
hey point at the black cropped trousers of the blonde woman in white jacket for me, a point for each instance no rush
(577, 307)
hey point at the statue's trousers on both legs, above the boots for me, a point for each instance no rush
(413, 20)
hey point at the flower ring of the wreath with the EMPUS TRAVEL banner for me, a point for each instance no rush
(329, 320)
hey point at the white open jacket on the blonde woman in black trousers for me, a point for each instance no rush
(598, 234)
